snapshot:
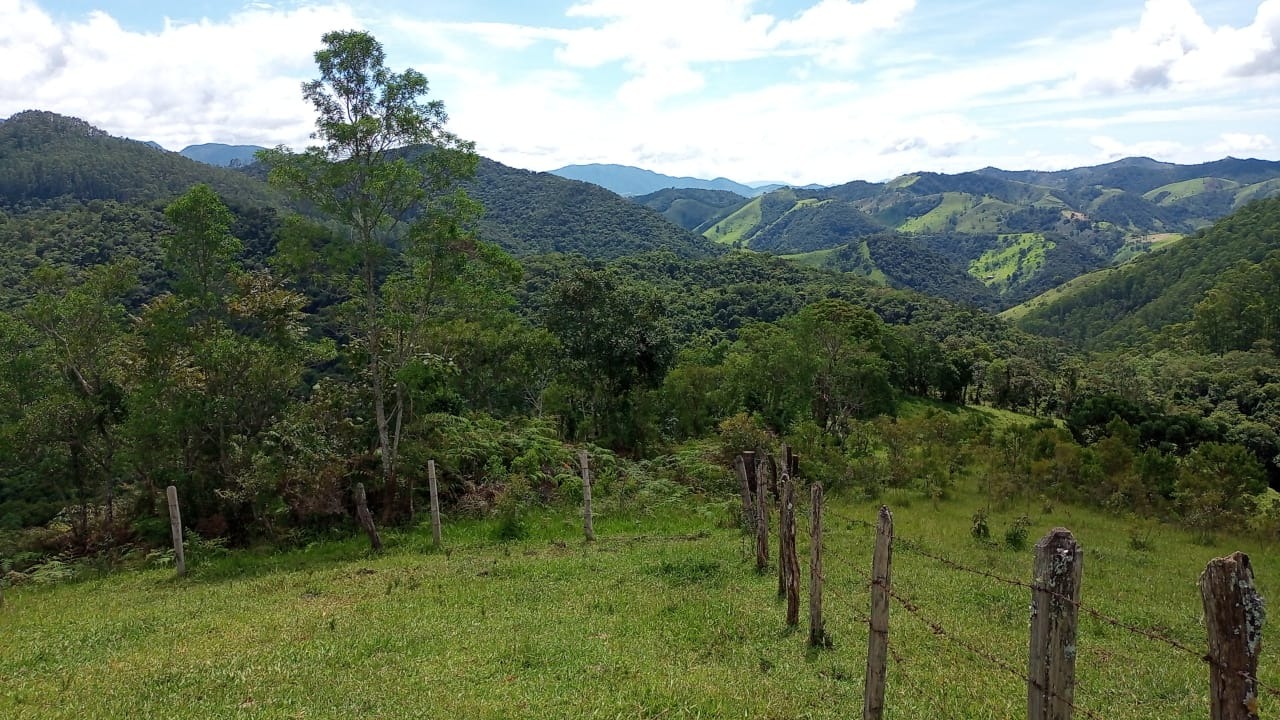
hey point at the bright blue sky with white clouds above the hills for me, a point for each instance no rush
(797, 92)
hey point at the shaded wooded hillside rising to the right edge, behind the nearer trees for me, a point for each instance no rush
(1135, 302)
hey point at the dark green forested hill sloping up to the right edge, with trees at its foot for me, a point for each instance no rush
(1219, 280)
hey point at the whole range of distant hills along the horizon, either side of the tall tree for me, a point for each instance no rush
(72, 194)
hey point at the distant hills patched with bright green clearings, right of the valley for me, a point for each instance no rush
(1018, 234)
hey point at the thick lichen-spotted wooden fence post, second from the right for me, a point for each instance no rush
(1055, 604)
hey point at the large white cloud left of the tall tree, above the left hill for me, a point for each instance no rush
(185, 84)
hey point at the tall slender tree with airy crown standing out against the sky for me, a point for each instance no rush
(385, 174)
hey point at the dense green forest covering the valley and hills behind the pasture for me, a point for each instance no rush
(266, 347)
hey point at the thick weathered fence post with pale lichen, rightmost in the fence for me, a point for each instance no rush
(1233, 617)
